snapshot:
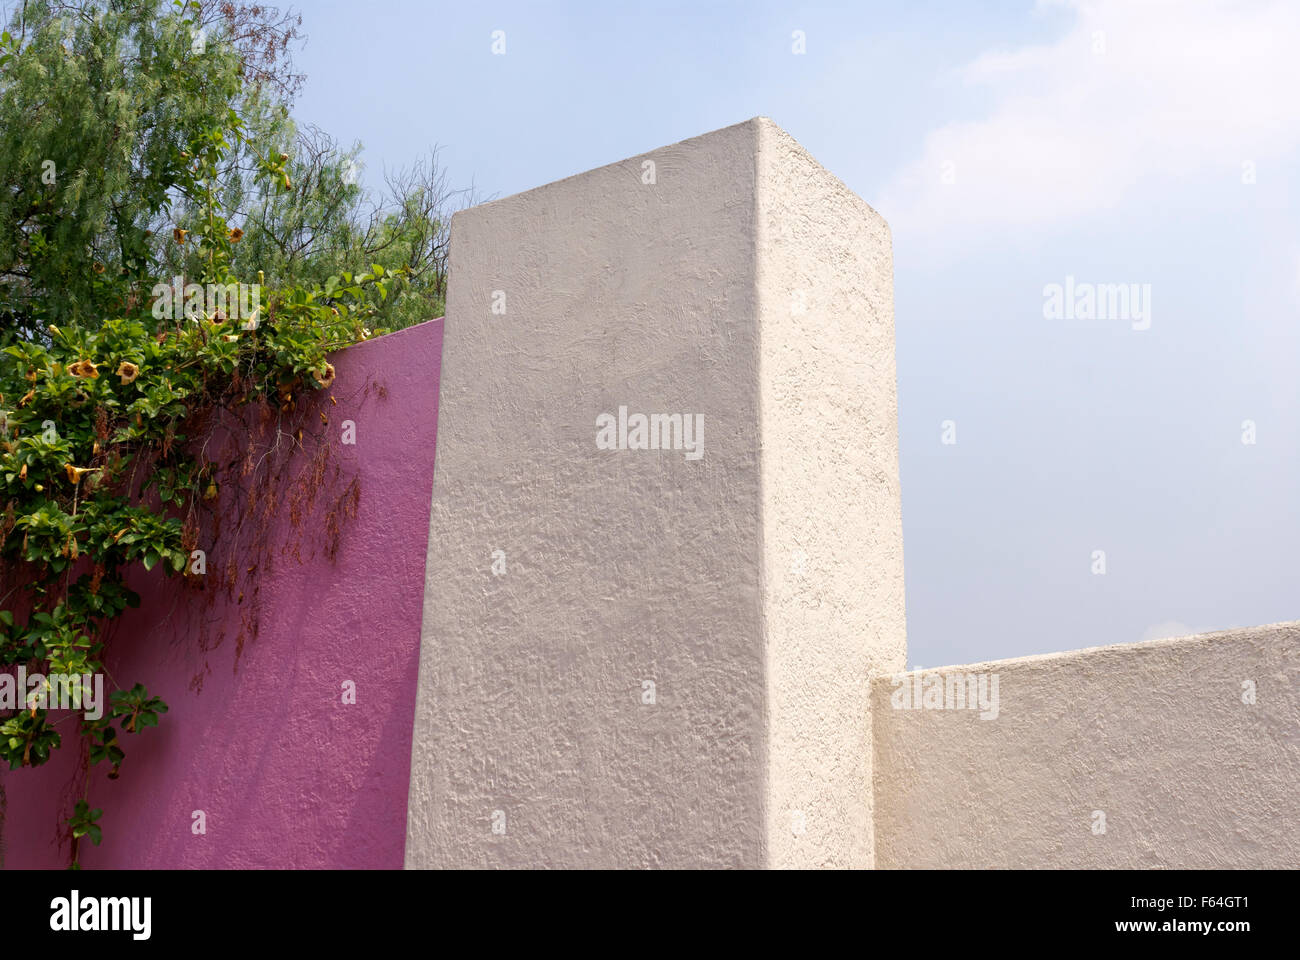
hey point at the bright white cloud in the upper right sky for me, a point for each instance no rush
(1181, 93)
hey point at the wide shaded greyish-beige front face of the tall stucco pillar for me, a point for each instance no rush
(622, 567)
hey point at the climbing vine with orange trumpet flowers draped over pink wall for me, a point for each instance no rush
(112, 422)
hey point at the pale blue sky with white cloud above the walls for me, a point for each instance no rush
(1069, 481)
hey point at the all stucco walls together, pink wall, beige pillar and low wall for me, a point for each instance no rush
(635, 658)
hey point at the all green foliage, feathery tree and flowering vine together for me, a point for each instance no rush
(128, 157)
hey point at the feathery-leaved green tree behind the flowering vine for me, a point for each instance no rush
(101, 100)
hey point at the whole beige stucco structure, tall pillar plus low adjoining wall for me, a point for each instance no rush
(759, 587)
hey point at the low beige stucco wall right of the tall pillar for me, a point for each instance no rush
(1155, 737)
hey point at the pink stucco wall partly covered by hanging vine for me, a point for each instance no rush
(258, 736)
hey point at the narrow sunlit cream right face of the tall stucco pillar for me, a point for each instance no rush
(833, 527)
